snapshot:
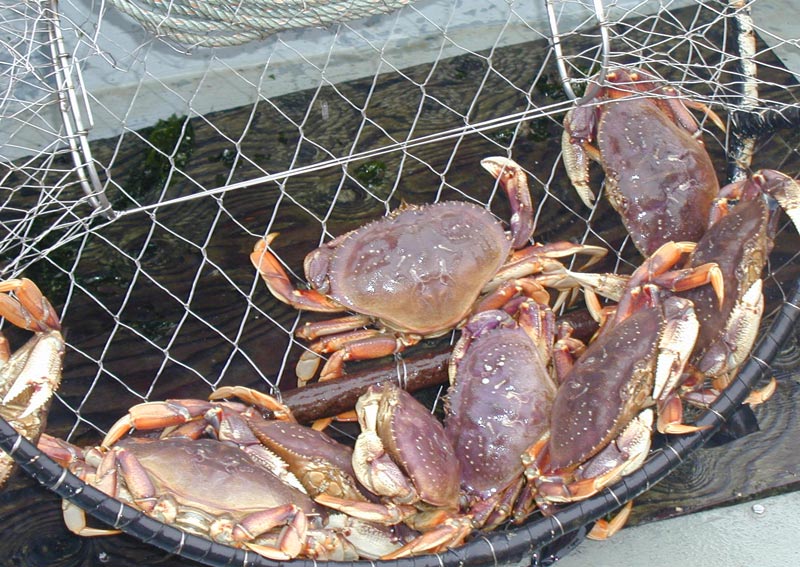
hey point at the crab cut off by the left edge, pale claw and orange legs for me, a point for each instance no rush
(30, 375)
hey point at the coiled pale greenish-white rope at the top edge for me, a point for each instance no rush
(224, 23)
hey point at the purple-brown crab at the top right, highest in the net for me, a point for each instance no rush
(659, 176)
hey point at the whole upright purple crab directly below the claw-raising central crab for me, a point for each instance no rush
(503, 379)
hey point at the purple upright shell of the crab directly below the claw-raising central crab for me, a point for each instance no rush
(499, 401)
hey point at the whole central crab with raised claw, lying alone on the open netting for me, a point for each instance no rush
(417, 273)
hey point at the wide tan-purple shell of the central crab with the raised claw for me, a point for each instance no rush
(440, 255)
